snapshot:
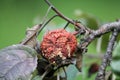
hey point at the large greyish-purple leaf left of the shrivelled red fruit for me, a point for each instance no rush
(17, 62)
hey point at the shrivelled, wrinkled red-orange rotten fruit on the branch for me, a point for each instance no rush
(58, 43)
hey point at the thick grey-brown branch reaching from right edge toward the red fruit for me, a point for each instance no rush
(97, 33)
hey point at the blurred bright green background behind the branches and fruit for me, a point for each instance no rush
(17, 15)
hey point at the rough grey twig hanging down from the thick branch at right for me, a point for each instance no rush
(107, 57)
